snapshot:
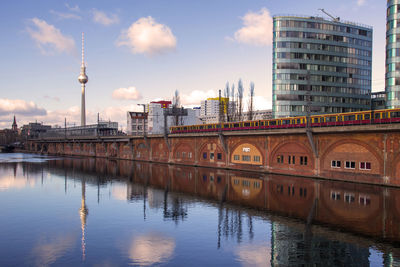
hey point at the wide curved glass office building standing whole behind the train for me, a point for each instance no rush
(323, 64)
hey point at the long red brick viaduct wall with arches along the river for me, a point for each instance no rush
(278, 151)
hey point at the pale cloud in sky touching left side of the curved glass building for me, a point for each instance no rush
(256, 30)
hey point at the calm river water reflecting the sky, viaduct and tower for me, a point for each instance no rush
(96, 212)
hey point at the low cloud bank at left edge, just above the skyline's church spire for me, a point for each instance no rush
(20, 107)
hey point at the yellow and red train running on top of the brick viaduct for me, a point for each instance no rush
(338, 119)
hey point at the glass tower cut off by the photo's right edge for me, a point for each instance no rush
(392, 83)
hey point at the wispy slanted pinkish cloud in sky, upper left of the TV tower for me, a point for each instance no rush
(49, 38)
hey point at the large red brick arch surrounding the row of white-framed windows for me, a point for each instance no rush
(363, 145)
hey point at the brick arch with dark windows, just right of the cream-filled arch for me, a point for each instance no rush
(301, 148)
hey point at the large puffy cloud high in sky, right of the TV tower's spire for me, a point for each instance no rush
(146, 36)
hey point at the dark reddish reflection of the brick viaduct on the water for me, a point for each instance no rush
(365, 209)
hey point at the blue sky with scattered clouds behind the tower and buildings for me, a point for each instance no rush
(140, 51)
